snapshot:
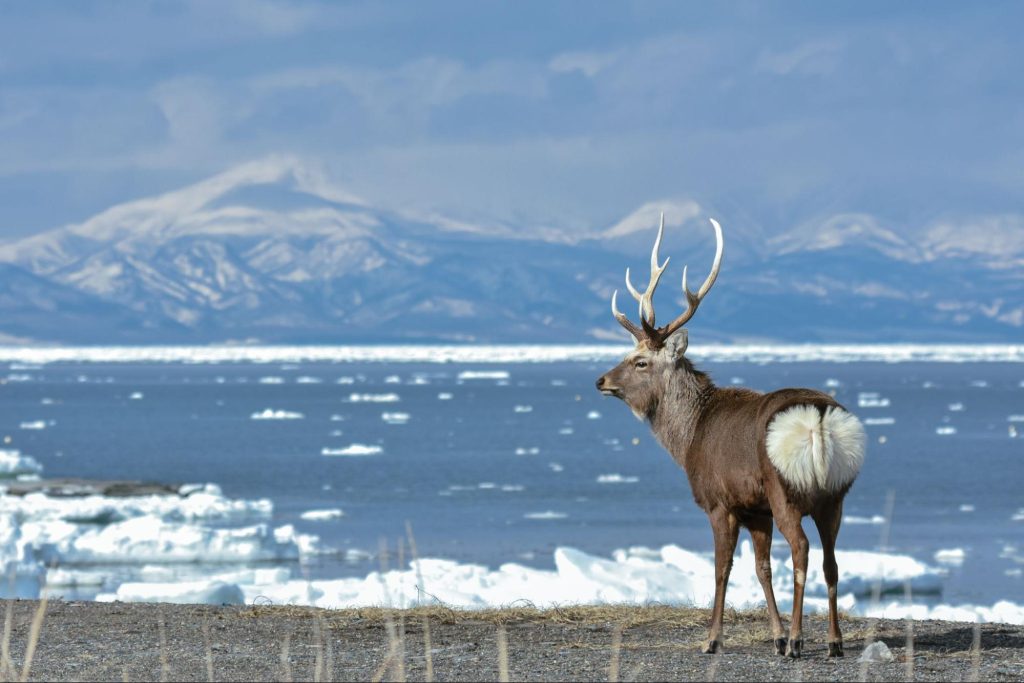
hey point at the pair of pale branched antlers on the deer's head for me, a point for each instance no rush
(648, 329)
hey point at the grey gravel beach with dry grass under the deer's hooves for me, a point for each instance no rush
(122, 642)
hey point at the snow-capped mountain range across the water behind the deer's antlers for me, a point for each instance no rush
(274, 251)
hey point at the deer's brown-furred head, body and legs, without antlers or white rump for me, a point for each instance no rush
(718, 437)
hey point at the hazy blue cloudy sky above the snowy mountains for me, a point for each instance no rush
(566, 114)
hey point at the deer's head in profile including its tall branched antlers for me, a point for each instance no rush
(646, 373)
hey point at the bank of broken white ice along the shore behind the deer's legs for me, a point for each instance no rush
(671, 576)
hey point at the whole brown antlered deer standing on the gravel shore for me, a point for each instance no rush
(753, 459)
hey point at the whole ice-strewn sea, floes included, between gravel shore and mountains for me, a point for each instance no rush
(497, 463)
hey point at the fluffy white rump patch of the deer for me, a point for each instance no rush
(815, 454)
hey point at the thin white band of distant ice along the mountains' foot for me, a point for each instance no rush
(514, 354)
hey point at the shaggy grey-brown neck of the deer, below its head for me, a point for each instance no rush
(675, 419)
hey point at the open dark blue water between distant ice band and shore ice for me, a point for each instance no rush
(445, 471)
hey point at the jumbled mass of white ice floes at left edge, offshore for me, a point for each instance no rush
(38, 531)
